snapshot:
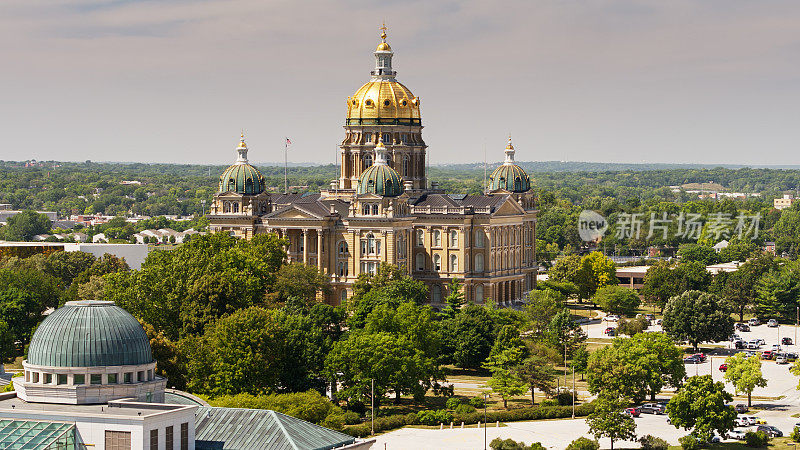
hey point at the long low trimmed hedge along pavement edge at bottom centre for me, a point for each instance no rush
(511, 415)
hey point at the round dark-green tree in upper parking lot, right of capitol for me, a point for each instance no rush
(697, 317)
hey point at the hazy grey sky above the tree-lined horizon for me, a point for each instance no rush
(713, 81)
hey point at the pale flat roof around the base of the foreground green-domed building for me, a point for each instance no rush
(10, 403)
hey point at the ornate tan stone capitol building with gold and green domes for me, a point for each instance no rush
(383, 208)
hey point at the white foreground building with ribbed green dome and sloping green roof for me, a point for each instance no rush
(89, 381)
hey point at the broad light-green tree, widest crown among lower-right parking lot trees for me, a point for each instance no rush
(635, 367)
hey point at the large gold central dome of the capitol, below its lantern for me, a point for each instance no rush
(383, 102)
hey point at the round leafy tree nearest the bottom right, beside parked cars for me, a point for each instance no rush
(702, 405)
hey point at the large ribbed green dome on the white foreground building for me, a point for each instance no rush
(89, 334)
